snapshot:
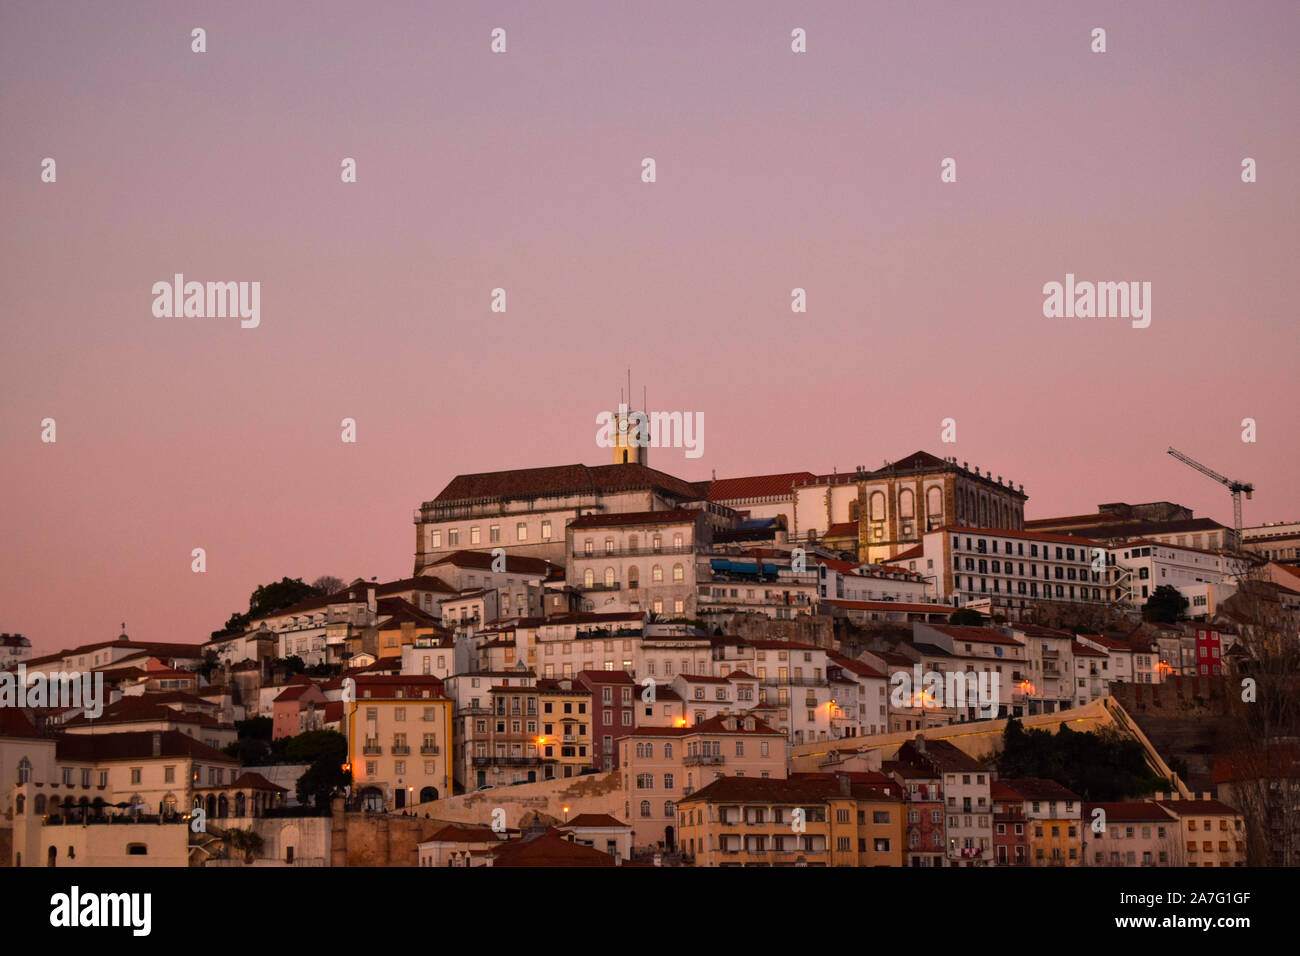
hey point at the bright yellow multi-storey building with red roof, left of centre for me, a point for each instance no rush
(400, 741)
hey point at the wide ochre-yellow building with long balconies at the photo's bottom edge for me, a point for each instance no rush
(807, 820)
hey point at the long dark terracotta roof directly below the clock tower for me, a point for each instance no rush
(567, 479)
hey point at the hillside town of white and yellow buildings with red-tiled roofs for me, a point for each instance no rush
(612, 667)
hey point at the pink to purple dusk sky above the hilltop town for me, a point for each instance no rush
(523, 171)
